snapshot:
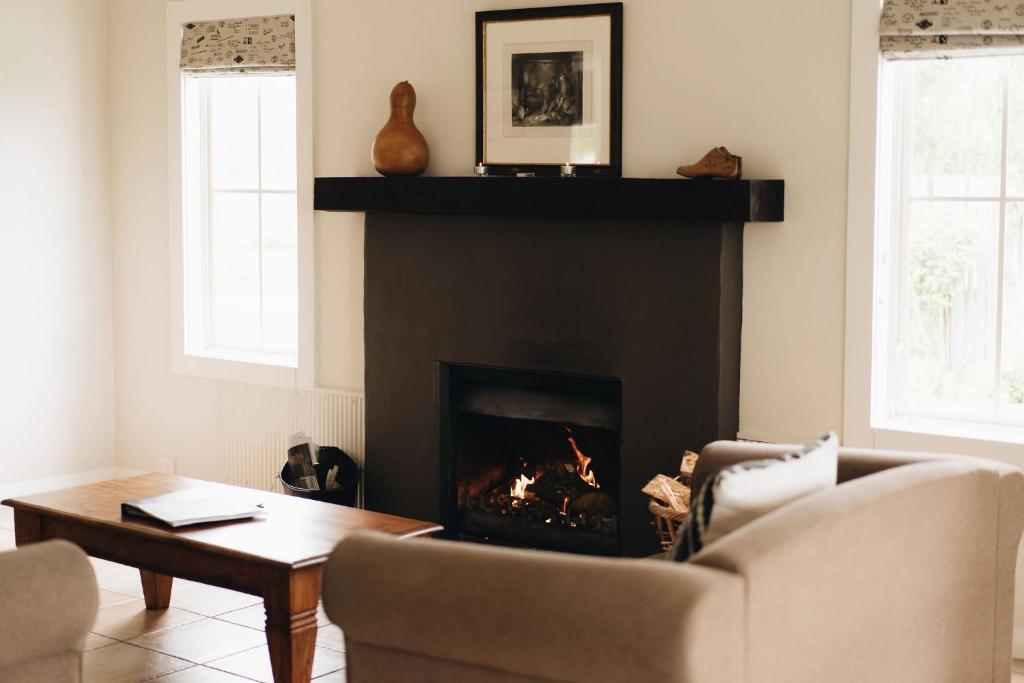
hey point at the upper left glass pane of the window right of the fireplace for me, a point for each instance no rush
(957, 109)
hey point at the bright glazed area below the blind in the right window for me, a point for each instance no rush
(950, 247)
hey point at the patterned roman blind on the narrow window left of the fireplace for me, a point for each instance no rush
(262, 45)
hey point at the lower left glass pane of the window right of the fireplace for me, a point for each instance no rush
(947, 344)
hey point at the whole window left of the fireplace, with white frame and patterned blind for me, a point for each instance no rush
(241, 191)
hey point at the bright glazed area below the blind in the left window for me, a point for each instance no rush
(240, 211)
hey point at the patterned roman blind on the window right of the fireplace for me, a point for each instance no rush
(941, 29)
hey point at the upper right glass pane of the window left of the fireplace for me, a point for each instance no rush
(278, 132)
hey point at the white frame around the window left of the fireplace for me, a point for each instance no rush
(180, 13)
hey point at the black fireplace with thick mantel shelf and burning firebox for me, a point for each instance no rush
(646, 312)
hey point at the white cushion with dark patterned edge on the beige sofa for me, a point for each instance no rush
(742, 493)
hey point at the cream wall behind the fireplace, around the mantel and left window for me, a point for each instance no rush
(697, 76)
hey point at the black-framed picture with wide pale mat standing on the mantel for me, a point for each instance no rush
(549, 90)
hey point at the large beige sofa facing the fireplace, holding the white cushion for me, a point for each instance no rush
(903, 574)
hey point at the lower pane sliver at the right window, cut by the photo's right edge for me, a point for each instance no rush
(1013, 316)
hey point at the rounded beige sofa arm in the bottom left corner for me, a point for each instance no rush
(49, 603)
